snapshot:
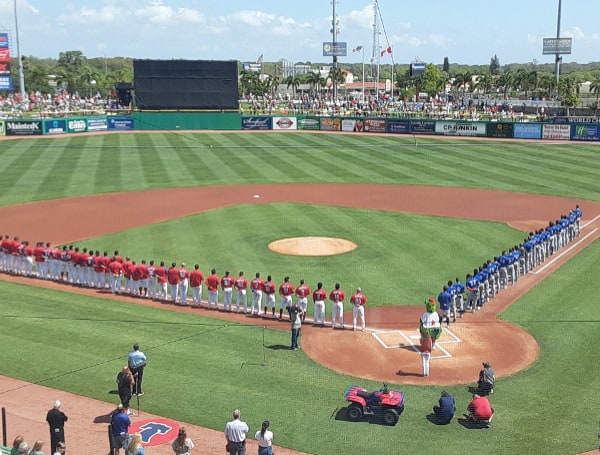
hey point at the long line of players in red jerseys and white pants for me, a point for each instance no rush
(88, 268)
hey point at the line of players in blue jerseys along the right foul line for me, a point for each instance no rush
(494, 275)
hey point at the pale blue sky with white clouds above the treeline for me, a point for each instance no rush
(468, 32)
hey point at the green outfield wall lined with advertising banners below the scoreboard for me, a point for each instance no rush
(565, 129)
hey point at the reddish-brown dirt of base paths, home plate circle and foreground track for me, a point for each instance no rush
(384, 352)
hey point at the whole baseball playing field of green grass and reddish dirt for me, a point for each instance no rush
(202, 367)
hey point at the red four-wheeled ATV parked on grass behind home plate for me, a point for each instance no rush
(384, 404)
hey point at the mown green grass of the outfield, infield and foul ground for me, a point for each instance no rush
(549, 408)
